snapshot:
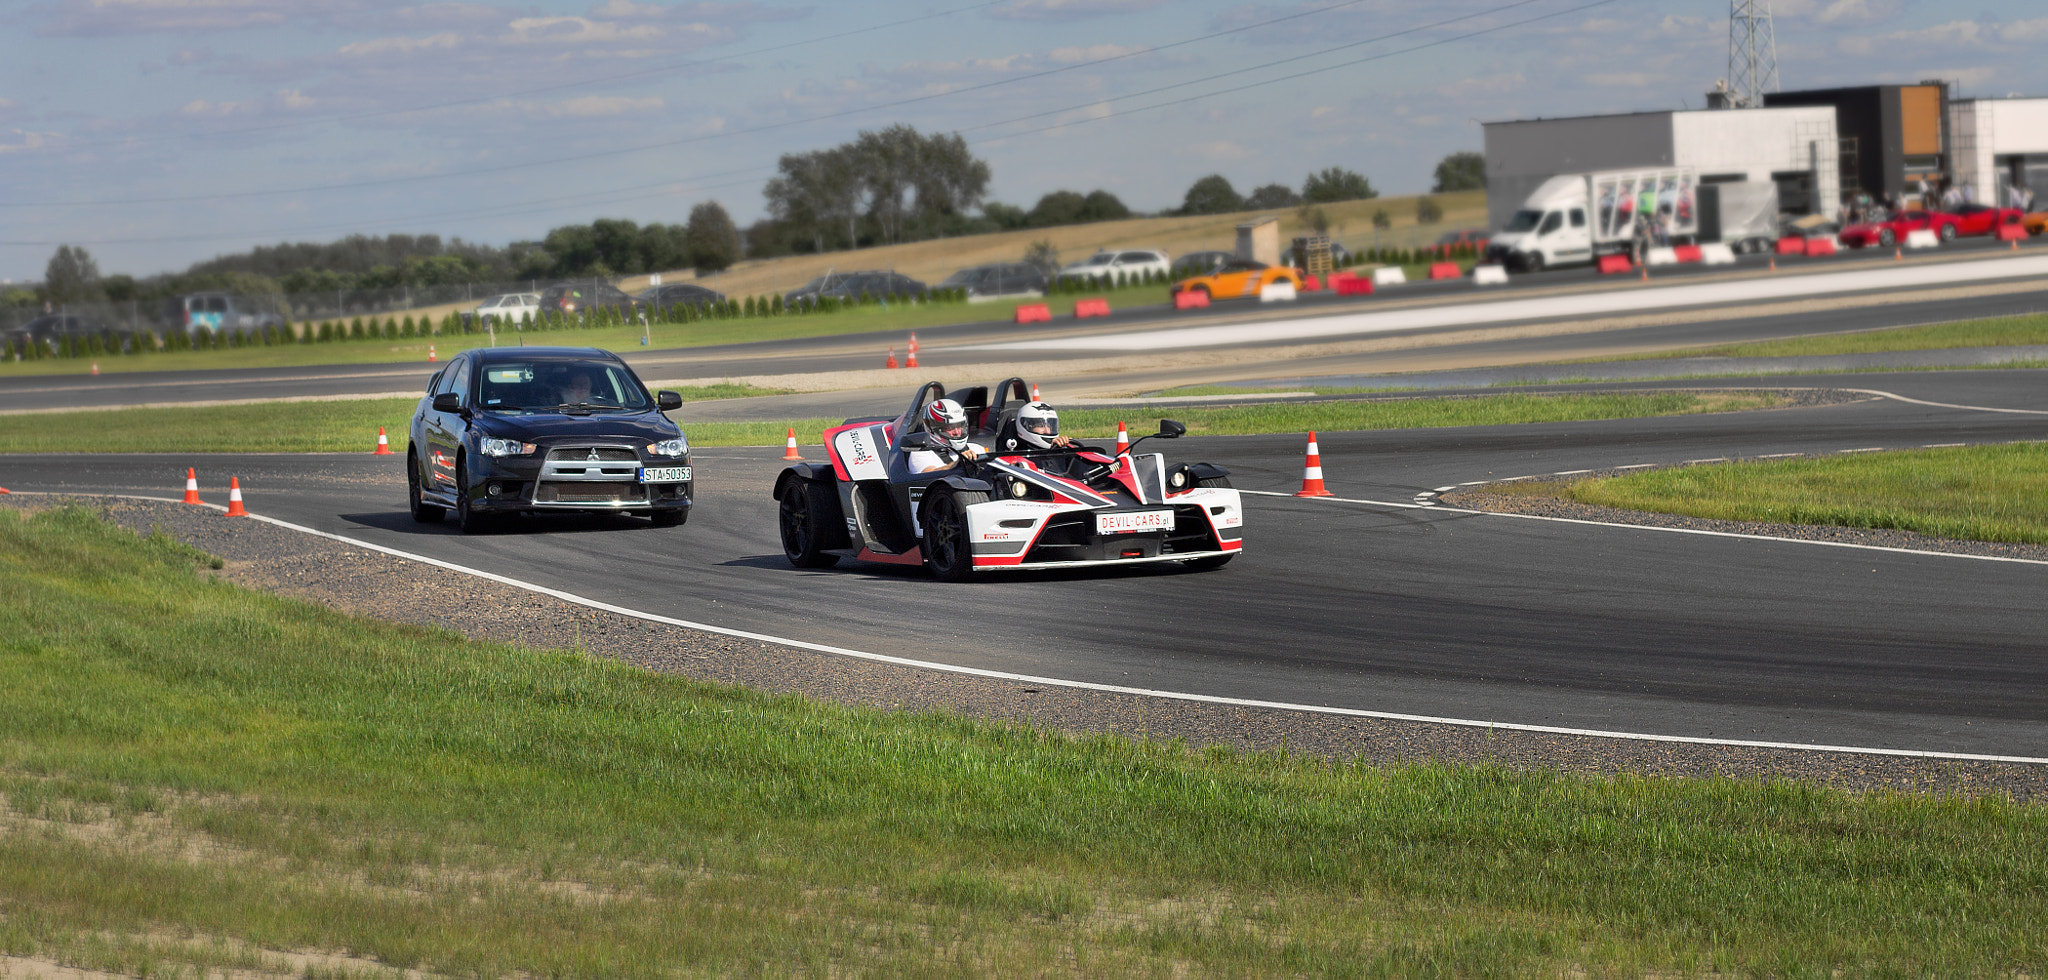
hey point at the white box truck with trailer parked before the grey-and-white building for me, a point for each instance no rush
(1578, 218)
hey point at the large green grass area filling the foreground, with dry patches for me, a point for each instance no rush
(196, 774)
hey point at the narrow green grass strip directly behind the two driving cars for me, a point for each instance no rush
(351, 427)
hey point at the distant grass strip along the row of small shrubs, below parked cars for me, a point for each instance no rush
(699, 335)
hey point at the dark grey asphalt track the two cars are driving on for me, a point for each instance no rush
(1367, 603)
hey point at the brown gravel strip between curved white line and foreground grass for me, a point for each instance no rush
(388, 588)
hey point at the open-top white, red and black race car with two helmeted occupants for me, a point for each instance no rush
(1007, 510)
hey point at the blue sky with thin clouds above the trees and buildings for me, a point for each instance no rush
(165, 132)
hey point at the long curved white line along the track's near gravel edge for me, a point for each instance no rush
(1101, 688)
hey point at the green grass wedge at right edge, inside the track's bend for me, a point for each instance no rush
(1971, 492)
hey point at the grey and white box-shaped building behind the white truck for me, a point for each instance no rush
(1795, 148)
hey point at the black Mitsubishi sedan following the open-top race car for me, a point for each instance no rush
(531, 431)
